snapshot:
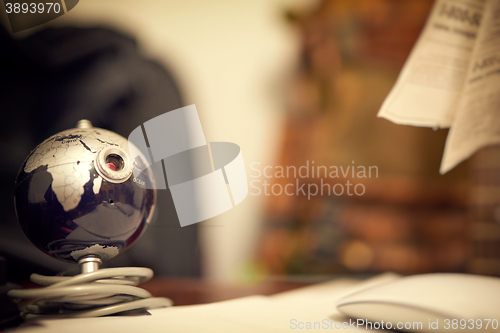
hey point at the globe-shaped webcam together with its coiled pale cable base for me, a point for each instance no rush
(77, 199)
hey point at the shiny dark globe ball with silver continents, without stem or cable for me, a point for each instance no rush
(79, 193)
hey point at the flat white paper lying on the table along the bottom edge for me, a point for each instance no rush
(279, 313)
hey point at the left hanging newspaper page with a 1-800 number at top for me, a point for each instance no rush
(430, 83)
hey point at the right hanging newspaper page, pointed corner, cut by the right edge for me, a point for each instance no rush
(477, 122)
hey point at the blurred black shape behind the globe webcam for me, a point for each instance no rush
(51, 80)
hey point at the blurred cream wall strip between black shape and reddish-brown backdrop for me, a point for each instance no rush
(233, 58)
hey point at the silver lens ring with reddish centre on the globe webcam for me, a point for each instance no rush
(113, 164)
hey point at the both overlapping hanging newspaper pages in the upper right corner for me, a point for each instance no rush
(452, 78)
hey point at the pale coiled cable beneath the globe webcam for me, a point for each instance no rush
(100, 293)
